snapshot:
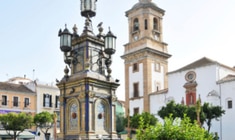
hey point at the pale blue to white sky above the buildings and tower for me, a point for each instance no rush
(30, 44)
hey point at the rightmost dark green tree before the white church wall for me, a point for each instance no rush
(211, 112)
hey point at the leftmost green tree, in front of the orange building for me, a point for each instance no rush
(16, 123)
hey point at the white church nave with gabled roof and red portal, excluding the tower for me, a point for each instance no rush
(213, 82)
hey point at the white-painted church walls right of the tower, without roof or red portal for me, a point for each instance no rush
(206, 78)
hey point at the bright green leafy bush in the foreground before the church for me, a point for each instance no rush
(173, 129)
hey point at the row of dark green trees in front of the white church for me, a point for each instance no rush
(206, 112)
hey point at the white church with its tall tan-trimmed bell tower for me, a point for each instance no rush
(148, 84)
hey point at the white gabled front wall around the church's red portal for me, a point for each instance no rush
(205, 78)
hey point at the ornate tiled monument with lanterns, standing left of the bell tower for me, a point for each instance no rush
(89, 83)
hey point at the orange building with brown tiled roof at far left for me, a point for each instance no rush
(16, 98)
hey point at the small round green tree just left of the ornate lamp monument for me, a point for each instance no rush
(44, 121)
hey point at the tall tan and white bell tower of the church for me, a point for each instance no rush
(145, 56)
